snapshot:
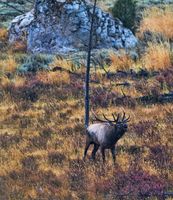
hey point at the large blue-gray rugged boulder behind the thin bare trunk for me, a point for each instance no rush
(63, 26)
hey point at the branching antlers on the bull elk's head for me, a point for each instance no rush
(115, 119)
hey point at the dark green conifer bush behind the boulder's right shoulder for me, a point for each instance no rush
(125, 10)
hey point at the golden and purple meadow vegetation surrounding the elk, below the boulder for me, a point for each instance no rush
(42, 133)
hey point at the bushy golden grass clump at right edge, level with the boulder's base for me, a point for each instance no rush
(157, 56)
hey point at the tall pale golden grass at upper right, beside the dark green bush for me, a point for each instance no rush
(158, 21)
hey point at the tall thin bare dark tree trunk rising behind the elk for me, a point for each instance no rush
(87, 77)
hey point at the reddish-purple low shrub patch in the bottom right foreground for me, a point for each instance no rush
(134, 183)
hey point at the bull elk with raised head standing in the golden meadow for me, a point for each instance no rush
(105, 134)
